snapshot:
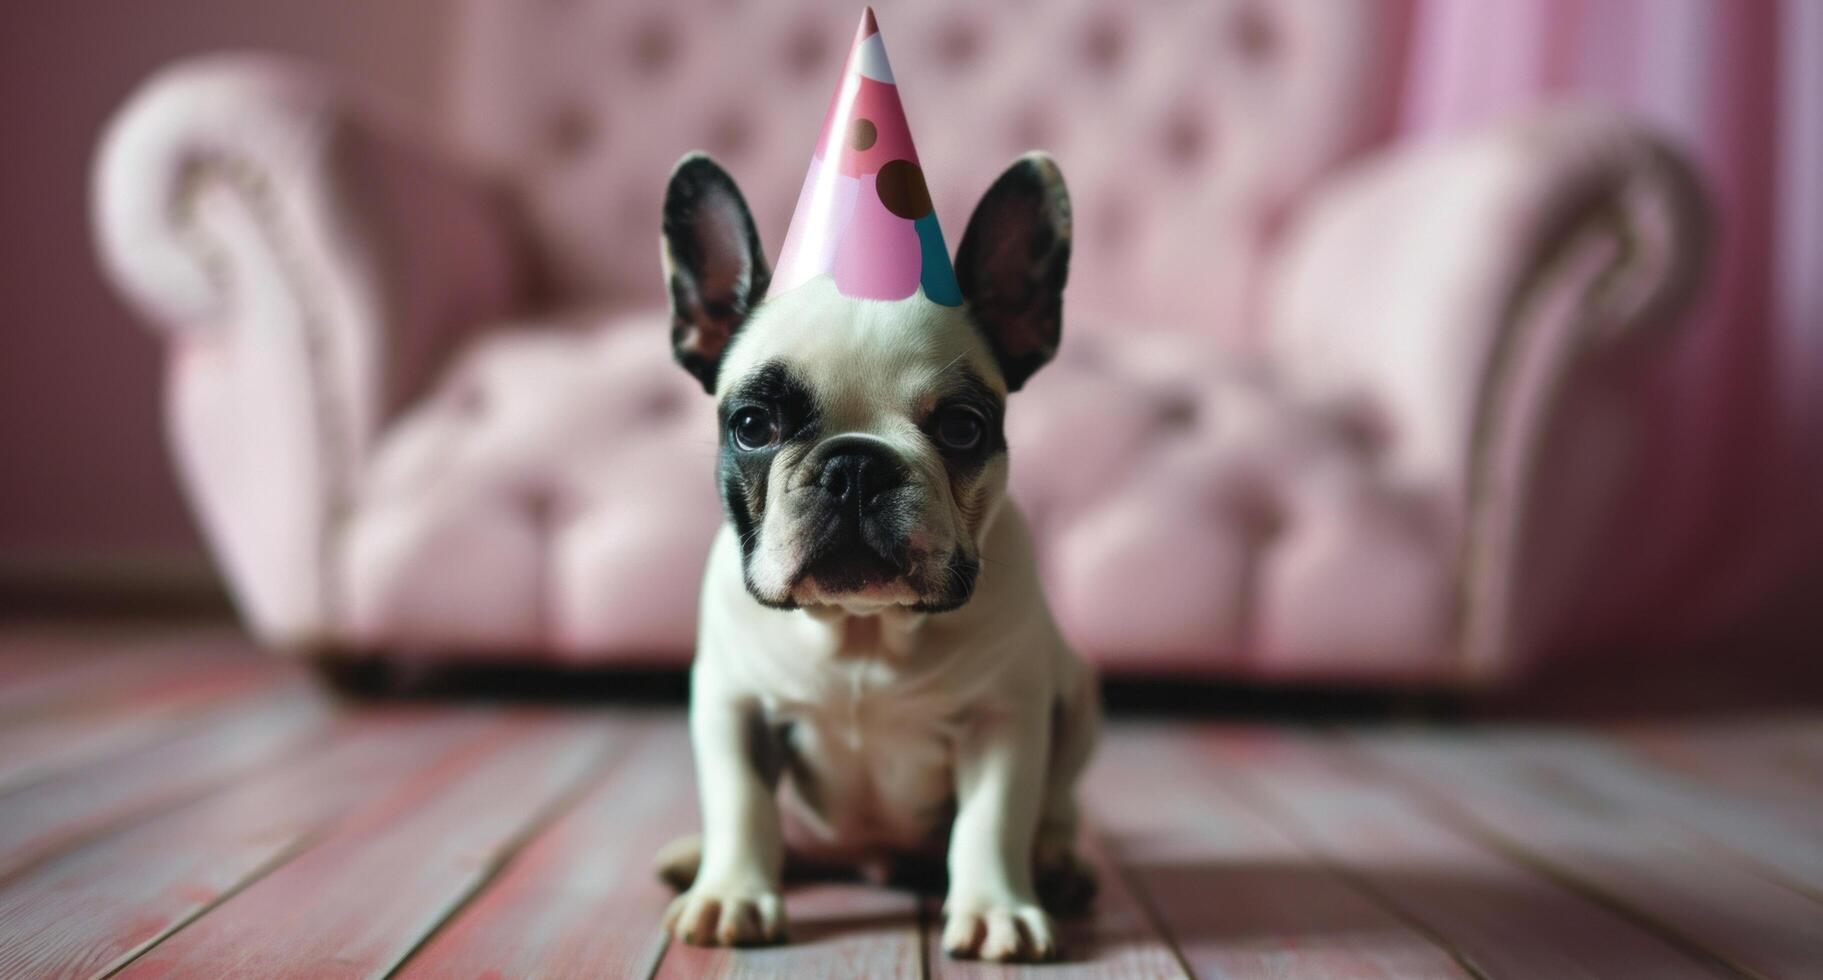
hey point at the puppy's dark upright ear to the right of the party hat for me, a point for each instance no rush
(1014, 263)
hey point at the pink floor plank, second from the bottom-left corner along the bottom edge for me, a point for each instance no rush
(366, 897)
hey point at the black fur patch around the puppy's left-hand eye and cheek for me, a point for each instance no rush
(745, 475)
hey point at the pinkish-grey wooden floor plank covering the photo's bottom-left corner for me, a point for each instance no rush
(101, 904)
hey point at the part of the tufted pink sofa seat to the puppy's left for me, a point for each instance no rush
(555, 493)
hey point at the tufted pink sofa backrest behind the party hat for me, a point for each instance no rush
(1188, 130)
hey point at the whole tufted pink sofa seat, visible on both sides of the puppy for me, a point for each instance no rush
(555, 493)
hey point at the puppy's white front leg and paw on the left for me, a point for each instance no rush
(736, 899)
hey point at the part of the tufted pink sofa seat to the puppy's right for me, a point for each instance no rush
(1193, 515)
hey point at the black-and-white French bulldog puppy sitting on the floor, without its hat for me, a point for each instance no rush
(874, 637)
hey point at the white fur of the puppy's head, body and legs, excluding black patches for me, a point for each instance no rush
(901, 726)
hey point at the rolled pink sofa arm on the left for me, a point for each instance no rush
(311, 269)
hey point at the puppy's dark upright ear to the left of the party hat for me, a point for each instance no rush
(714, 265)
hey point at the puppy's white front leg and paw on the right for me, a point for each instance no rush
(993, 908)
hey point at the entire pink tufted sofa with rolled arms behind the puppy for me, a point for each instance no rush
(1326, 409)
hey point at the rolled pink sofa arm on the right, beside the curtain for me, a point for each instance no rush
(1488, 303)
